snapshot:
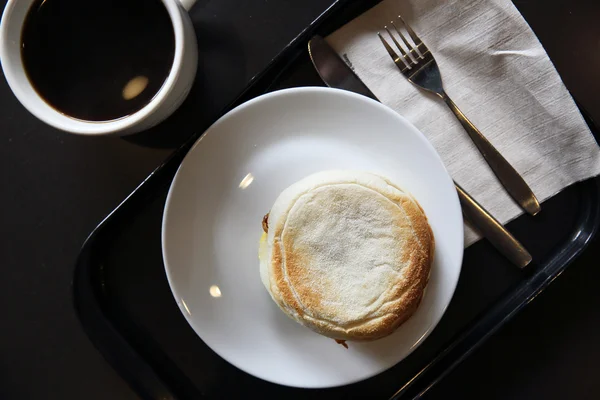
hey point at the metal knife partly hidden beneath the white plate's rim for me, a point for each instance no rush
(337, 74)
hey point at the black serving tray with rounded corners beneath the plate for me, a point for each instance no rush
(126, 307)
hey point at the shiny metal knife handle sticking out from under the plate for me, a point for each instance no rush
(493, 230)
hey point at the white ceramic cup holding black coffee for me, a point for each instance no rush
(170, 96)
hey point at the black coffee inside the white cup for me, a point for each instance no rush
(97, 60)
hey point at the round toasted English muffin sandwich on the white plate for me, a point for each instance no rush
(346, 254)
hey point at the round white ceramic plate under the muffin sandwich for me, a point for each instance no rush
(230, 179)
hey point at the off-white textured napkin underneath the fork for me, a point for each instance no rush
(497, 72)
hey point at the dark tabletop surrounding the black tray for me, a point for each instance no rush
(56, 187)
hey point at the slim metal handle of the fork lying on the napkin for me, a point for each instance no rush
(514, 184)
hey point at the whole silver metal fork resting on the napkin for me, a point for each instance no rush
(418, 65)
